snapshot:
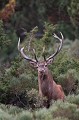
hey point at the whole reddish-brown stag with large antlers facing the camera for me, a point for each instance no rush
(47, 86)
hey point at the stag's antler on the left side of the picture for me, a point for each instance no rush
(25, 56)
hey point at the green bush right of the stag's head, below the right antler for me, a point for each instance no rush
(64, 63)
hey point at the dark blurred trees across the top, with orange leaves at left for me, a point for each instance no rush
(63, 13)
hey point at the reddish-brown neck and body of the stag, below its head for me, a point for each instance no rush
(48, 87)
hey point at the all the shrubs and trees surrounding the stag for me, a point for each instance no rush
(34, 22)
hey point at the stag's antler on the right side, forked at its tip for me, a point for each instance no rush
(59, 48)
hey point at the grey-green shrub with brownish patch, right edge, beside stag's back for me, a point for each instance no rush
(69, 81)
